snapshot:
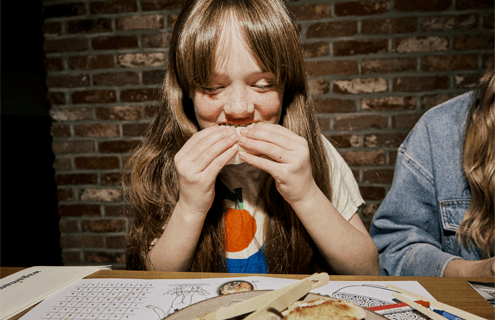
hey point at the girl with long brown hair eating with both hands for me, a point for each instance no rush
(237, 67)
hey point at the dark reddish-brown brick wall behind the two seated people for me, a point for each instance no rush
(374, 66)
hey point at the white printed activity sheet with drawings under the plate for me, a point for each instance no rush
(135, 299)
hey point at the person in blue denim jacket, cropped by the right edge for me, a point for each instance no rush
(425, 226)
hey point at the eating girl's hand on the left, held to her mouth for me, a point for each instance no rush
(198, 164)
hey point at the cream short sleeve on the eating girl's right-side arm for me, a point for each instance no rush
(345, 191)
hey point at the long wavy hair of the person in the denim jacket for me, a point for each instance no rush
(478, 161)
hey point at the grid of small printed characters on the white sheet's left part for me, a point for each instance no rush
(101, 300)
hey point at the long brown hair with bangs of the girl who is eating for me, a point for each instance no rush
(151, 183)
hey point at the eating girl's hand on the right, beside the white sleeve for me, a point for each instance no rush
(289, 163)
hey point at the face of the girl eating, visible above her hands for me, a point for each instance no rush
(240, 92)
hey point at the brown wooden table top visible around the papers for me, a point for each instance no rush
(453, 291)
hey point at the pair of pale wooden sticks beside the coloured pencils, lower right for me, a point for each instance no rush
(433, 303)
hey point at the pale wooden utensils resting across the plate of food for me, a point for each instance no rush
(275, 299)
